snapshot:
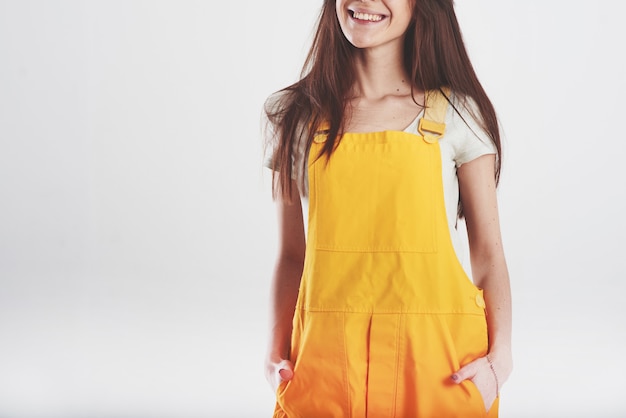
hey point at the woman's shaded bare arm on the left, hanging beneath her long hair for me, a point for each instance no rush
(285, 286)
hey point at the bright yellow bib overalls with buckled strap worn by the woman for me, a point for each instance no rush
(385, 313)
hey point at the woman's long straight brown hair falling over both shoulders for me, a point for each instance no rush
(434, 56)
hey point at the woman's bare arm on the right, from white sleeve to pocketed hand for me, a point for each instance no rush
(478, 196)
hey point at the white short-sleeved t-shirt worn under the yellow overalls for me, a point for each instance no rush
(464, 141)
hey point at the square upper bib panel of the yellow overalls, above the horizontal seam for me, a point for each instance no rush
(375, 194)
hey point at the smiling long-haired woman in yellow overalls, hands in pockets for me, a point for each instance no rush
(389, 138)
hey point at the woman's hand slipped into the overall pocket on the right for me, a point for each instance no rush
(485, 376)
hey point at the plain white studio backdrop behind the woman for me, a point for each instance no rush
(137, 232)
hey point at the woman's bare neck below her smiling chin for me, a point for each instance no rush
(380, 72)
